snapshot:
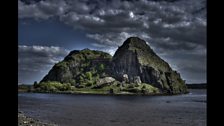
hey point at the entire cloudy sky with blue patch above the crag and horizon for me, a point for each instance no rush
(49, 29)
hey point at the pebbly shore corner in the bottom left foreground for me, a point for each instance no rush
(23, 120)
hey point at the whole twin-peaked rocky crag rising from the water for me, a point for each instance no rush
(134, 68)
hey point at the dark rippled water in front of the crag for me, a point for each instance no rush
(95, 110)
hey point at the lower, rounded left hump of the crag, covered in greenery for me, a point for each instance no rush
(79, 65)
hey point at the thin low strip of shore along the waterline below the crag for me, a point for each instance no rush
(86, 91)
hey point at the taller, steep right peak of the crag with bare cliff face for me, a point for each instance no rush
(137, 60)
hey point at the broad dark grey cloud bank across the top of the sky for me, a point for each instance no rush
(155, 18)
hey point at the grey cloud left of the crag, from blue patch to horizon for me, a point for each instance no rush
(37, 60)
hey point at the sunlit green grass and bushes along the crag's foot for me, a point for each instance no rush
(113, 88)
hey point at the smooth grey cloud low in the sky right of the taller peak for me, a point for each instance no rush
(191, 65)
